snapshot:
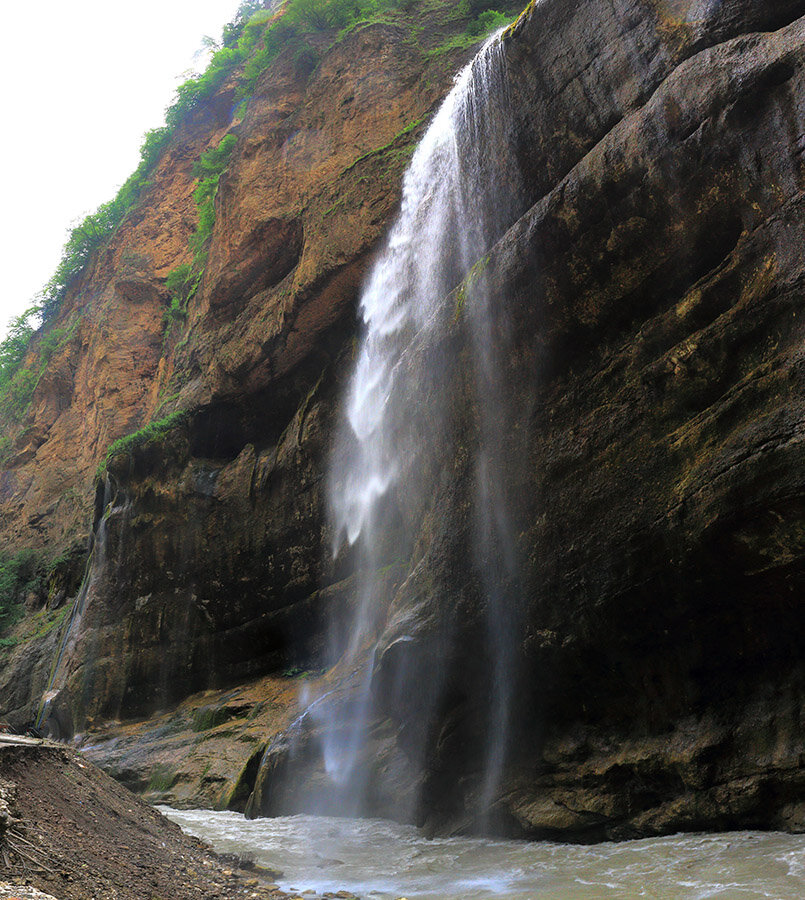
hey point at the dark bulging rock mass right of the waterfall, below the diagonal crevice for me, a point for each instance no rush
(664, 277)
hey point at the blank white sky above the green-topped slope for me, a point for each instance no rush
(83, 81)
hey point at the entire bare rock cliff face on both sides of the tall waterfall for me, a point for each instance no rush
(653, 287)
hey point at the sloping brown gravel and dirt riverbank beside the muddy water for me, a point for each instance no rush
(72, 832)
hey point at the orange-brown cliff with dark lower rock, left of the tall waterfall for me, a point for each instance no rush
(212, 566)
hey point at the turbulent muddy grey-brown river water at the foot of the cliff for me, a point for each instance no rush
(381, 859)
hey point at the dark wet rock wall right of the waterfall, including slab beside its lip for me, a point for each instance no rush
(652, 294)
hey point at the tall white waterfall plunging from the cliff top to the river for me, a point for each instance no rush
(459, 194)
